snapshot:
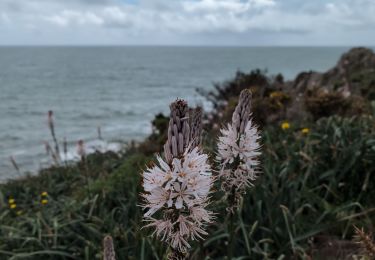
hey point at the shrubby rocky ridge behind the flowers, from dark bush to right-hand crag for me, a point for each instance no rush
(347, 89)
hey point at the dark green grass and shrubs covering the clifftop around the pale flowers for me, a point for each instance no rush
(317, 181)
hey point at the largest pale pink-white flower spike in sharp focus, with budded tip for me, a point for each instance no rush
(177, 189)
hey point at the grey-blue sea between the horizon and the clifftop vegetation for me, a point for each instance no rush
(117, 88)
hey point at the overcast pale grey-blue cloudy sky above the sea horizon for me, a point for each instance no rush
(187, 22)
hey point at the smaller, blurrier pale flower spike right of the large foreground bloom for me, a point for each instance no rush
(238, 151)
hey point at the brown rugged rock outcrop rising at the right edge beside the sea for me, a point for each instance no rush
(344, 89)
